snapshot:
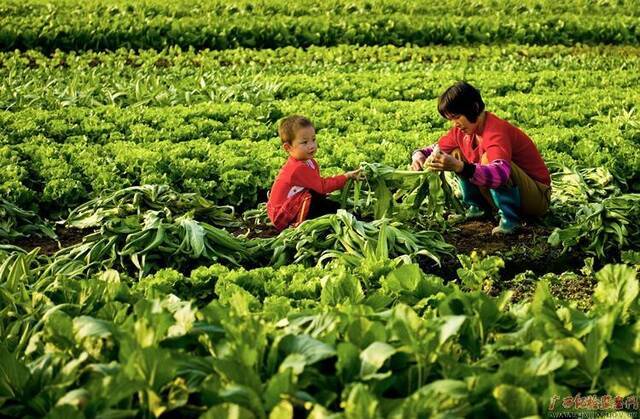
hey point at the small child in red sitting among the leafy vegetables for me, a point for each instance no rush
(299, 192)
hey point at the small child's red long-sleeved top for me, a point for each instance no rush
(290, 198)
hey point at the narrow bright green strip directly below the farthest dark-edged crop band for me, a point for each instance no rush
(347, 58)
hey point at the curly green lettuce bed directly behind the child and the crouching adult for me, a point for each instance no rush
(59, 159)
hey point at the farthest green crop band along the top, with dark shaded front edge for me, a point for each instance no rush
(76, 25)
